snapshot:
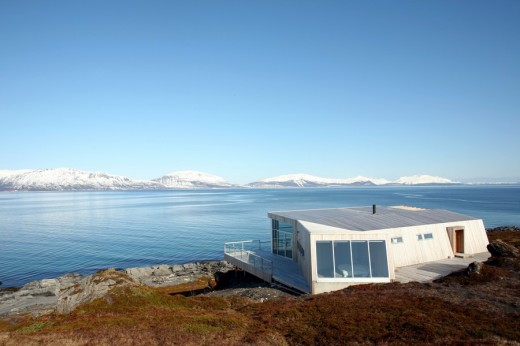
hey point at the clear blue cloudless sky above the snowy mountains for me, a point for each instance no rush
(252, 89)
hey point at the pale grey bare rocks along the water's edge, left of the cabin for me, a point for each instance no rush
(64, 293)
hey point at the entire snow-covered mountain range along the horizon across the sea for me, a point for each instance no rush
(69, 179)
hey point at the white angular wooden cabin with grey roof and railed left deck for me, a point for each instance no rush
(323, 250)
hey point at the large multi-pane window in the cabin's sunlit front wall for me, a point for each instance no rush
(351, 259)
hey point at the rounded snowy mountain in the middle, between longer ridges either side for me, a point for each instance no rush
(192, 180)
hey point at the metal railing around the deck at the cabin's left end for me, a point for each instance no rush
(244, 250)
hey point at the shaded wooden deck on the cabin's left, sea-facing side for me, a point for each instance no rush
(284, 270)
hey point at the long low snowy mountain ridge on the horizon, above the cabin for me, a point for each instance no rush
(306, 180)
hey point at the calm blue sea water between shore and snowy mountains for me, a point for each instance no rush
(47, 234)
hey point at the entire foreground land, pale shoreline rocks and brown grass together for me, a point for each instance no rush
(477, 305)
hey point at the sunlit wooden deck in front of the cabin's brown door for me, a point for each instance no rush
(427, 272)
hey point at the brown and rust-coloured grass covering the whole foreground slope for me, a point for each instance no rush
(459, 309)
